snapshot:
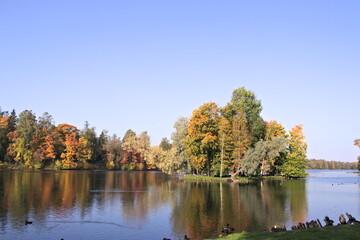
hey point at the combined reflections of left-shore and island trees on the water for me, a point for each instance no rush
(198, 209)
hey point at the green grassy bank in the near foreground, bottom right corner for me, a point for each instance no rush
(346, 232)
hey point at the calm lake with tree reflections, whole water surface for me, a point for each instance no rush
(153, 205)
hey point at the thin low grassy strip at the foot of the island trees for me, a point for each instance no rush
(224, 179)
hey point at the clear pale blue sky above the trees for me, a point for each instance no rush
(142, 64)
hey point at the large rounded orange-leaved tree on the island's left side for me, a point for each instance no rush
(202, 139)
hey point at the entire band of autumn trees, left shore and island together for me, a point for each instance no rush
(230, 140)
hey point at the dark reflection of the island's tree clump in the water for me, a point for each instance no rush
(201, 209)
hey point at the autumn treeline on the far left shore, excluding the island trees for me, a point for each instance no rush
(28, 141)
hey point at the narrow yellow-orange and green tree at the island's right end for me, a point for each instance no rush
(295, 163)
